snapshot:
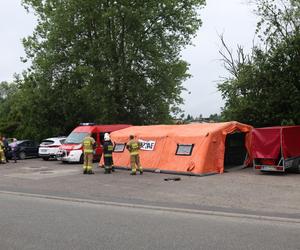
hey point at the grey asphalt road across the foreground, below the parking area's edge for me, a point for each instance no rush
(42, 223)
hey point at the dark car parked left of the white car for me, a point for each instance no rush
(26, 148)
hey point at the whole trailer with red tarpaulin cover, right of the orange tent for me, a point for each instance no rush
(276, 149)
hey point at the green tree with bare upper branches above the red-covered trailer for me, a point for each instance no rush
(264, 86)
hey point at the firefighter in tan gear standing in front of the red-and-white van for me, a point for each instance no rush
(88, 149)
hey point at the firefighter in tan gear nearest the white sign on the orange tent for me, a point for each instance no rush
(133, 147)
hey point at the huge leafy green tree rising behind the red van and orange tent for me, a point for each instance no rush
(112, 61)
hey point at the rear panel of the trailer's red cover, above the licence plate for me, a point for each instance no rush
(266, 143)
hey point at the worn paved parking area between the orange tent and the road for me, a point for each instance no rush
(240, 190)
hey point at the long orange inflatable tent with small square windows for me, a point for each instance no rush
(192, 148)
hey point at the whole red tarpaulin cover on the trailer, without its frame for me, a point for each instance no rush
(270, 142)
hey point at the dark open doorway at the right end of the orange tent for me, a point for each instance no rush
(235, 150)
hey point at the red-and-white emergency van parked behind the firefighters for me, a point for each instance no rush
(71, 150)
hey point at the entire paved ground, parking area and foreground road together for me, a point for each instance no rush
(49, 205)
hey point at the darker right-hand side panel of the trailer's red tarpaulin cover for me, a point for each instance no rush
(291, 141)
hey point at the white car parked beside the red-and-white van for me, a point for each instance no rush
(50, 146)
